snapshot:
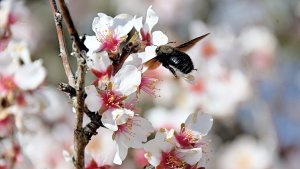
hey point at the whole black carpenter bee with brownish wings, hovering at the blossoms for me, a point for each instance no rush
(175, 58)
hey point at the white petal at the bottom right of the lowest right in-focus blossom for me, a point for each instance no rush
(190, 156)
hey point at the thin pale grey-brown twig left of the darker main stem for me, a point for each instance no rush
(63, 51)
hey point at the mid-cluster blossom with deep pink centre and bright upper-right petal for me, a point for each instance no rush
(112, 93)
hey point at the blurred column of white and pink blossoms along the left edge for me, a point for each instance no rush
(22, 95)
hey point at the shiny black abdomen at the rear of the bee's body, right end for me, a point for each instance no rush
(183, 63)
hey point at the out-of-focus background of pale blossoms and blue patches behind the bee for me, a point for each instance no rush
(248, 73)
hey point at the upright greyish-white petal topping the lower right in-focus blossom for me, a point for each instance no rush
(199, 122)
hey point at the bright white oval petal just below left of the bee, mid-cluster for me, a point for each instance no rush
(127, 80)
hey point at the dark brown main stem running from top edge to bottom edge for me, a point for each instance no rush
(80, 139)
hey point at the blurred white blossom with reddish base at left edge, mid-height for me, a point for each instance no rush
(18, 74)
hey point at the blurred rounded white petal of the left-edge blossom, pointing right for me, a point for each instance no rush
(30, 76)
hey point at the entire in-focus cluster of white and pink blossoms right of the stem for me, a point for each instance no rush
(115, 93)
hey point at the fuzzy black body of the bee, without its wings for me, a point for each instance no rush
(173, 59)
